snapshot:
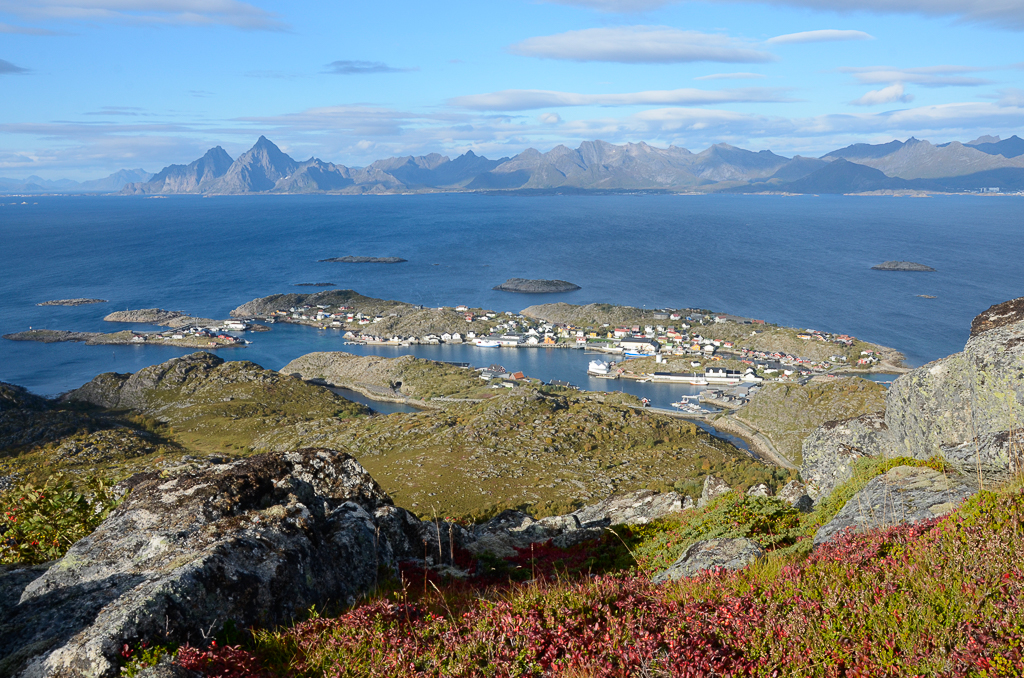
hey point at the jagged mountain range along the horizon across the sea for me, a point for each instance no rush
(913, 165)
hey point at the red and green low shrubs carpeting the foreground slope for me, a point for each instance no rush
(942, 599)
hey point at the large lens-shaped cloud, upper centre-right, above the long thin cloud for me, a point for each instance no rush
(641, 45)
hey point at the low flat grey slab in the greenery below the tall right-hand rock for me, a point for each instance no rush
(906, 494)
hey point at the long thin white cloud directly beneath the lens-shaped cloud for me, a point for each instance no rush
(526, 100)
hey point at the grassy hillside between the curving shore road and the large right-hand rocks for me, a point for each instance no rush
(789, 413)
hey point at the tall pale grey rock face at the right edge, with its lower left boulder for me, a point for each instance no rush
(967, 408)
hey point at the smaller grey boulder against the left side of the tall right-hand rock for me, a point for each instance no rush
(831, 450)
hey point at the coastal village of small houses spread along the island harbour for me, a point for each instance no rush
(674, 346)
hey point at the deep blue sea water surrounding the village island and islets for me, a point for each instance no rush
(800, 261)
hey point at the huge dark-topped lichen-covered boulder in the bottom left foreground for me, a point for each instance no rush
(254, 542)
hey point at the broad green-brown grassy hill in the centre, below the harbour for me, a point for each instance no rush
(537, 449)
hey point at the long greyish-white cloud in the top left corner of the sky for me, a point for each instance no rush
(176, 13)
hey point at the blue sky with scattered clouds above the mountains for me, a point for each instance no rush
(89, 88)
